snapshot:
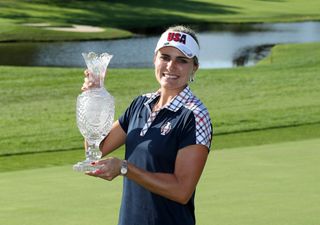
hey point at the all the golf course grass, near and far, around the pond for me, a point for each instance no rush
(263, 166)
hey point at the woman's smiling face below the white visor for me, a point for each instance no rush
(173, 69)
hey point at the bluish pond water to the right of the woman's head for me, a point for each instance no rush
(227, 47)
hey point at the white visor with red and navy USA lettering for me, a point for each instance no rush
(182, 41)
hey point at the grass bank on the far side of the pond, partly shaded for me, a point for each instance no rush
(117, 17)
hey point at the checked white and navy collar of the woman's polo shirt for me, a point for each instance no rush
(175, 103)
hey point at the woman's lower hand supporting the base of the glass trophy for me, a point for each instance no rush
(109, 168)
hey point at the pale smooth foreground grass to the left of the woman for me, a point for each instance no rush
(57, 195)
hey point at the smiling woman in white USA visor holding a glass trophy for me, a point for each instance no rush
(167, 135)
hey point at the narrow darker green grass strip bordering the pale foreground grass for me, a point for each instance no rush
(20, 161)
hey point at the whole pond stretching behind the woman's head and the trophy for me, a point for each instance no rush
(219, 49)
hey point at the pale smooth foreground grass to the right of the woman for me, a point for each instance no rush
(269, 184)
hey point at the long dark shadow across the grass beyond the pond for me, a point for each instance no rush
(127, 14)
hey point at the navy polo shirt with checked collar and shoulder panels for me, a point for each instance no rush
(152, 143)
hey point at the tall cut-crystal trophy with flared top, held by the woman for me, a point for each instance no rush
(95, 109)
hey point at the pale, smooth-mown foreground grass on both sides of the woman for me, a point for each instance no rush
(259, 185)
